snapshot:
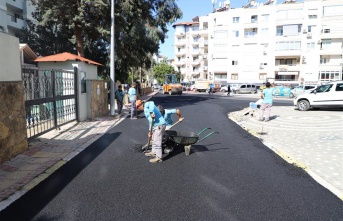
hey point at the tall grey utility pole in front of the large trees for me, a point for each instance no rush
(112, 63)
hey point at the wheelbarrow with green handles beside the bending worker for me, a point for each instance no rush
(174, 139)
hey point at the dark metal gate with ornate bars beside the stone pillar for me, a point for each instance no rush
(50, 99)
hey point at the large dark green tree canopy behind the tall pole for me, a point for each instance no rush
(83, 27)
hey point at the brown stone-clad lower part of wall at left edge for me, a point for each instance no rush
(13, 137)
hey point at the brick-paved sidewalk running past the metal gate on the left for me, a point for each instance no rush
(49, 152)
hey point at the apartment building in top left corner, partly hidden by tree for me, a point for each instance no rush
(13, 15)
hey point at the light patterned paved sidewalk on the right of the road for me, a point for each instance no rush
(312, 140)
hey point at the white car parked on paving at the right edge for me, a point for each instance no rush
(329, 95)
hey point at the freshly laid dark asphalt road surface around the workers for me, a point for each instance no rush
(229, 176)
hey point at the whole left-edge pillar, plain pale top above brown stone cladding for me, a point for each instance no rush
(13, 136)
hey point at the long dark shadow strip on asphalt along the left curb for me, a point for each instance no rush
(31, 203)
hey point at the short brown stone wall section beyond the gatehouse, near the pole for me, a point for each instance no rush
(97, 95)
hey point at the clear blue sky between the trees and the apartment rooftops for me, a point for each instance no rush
(191, 9)
